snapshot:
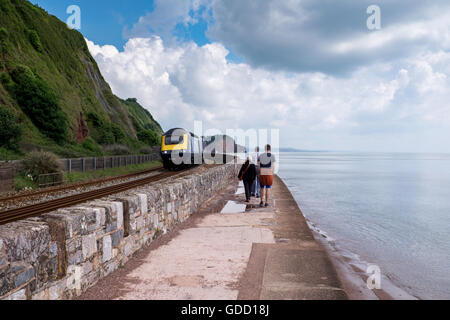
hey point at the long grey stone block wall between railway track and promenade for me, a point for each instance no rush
(61, 254)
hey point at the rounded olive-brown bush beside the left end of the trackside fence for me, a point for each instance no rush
(39, 162)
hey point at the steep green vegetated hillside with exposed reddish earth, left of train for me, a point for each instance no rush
(53, 87)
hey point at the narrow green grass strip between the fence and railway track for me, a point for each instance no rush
(98, 174)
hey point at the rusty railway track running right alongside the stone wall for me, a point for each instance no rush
(52, 205)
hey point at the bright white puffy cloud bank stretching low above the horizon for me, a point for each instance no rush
(183, 83)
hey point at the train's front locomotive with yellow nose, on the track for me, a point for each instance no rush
(181, 148)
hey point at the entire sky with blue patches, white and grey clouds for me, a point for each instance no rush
(310, 68)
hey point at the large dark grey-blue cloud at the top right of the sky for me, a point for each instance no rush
(328, 36)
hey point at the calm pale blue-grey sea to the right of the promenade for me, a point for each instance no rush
(391, 210)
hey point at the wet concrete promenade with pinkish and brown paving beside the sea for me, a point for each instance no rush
(237, 252)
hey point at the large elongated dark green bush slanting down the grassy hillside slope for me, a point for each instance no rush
(39, 104)
